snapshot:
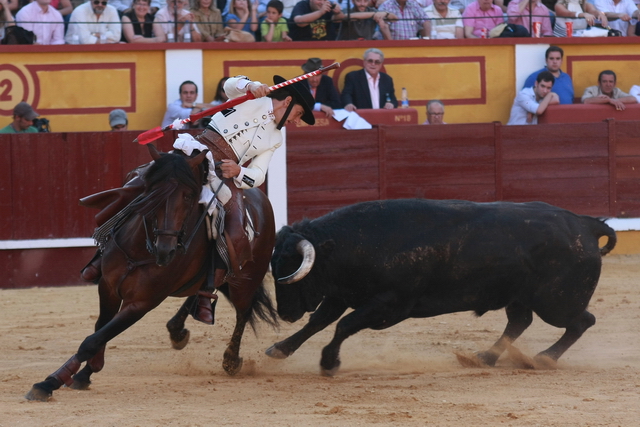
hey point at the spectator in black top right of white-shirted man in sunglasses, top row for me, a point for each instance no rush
(138, 25)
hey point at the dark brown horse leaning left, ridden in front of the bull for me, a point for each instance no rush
(166, 222)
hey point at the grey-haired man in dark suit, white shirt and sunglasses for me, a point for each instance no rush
(369, 87)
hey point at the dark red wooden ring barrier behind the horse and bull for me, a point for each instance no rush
(591, 168)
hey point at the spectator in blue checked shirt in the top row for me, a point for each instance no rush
(412, 19)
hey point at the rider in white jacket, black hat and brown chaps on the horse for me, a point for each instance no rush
(249, 132)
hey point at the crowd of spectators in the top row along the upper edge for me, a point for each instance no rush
(156, 21)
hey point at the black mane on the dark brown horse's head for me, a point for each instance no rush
(162, 178)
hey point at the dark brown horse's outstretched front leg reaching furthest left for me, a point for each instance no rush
(129, 314)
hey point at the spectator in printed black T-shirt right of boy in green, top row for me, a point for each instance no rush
(315, 20)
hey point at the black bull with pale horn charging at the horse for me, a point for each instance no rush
(397, 259)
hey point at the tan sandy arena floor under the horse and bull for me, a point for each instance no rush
(406, 375)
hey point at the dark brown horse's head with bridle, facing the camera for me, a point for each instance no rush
(173, 185)
